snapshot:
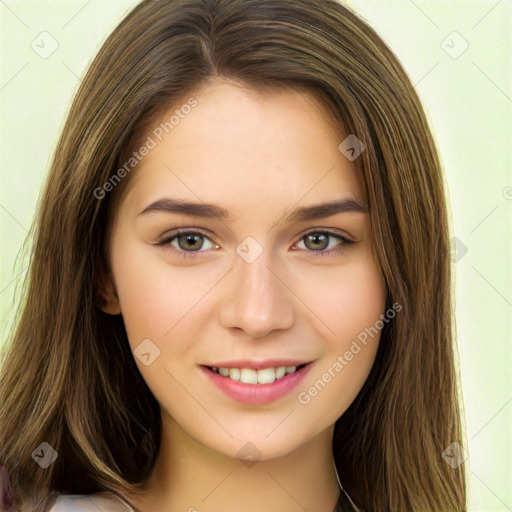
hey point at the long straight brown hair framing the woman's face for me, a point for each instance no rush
(68, 377)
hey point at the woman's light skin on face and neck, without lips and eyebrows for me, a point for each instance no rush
(258, 156)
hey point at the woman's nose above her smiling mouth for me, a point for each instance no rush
(258, 300)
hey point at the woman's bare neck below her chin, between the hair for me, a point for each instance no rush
(190, 476)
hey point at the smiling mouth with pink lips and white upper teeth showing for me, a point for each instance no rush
(259, 383)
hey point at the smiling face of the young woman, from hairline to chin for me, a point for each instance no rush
(257, 283)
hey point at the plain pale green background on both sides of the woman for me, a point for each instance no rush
(469, 105)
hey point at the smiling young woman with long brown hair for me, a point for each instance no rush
(239, 296)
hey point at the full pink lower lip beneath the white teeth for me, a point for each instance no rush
(257, 394)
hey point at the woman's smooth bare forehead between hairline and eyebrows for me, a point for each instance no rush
(238, 147)
